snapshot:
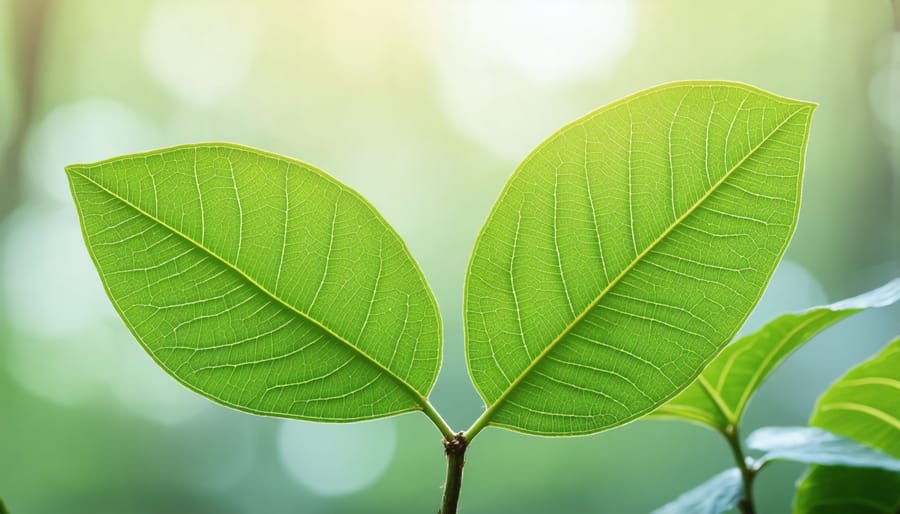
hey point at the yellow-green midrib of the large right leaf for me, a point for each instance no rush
(485, 417)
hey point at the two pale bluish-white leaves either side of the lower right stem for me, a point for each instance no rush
(809, 445)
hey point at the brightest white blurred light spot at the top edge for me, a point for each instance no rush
(504, 68)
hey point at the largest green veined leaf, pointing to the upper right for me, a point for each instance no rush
(626, 250)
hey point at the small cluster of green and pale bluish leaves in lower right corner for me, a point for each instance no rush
(854, 425)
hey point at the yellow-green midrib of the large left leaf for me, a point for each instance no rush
(419, 399)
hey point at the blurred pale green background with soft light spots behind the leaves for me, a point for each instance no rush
(425, 108)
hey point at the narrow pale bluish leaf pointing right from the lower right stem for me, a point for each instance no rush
(813, 445)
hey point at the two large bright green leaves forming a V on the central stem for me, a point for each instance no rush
(622, 255)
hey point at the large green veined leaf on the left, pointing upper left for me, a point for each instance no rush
(261, 282)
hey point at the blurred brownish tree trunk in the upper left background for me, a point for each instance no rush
(29, 24)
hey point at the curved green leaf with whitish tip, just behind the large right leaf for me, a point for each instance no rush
(718, 398)
